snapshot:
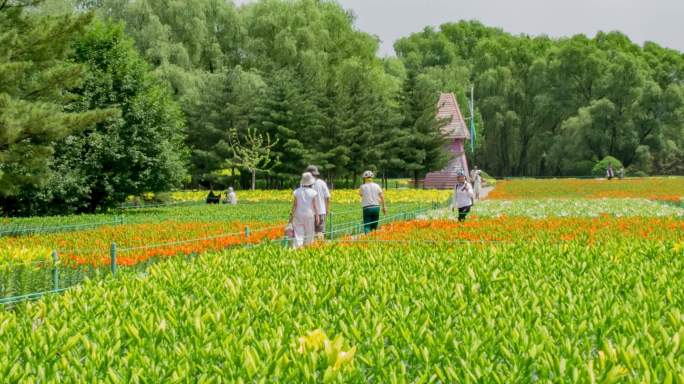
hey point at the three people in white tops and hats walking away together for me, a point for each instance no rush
(311, 205)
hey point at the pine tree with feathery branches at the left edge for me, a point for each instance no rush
(36, 78)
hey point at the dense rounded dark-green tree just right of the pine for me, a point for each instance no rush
(139, 151)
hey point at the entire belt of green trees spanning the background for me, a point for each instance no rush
(91, 112)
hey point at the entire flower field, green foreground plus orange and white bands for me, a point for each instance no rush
(563, 289)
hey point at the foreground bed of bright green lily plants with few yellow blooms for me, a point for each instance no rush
(373, 313)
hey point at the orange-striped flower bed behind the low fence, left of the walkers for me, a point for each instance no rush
(149, 235)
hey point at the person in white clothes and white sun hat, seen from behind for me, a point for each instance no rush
(304, 215)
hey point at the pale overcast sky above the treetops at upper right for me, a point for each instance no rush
(661, 21)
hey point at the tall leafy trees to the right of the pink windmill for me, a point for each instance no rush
(551, 107)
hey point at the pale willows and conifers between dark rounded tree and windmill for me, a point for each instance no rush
(297, 70)
